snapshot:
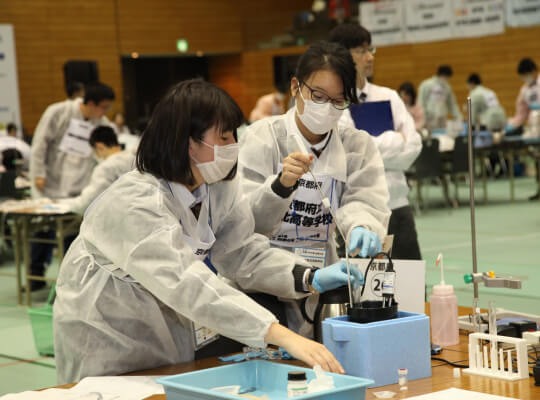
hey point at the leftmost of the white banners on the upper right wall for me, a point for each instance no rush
(385, 21)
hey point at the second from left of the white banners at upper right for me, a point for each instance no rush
(428, 20)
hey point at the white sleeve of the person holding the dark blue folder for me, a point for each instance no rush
(399, 151)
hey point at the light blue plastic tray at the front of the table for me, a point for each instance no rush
(267, 377)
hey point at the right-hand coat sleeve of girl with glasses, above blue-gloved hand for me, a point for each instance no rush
(364, 201)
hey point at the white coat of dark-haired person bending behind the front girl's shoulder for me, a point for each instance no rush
(103, 176)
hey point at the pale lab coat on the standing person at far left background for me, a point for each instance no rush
(66, 174)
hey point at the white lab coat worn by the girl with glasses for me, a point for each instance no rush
(350, 158)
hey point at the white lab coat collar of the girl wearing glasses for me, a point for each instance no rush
(333, 160)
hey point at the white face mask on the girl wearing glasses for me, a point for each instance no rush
(318, 118)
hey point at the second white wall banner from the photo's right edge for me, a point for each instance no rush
(478, 17)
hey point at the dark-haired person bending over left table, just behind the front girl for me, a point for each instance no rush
(113, 162)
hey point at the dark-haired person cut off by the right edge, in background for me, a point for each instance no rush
(528, 98)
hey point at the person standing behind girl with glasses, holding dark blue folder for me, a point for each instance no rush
(398, 147)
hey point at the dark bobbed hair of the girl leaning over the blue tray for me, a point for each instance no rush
(188, 110)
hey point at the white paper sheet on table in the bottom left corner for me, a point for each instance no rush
(98, 388)
